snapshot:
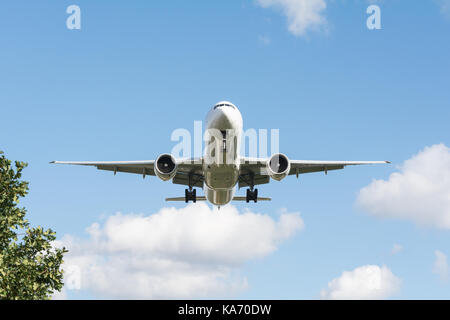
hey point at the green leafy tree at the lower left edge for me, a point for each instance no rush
(29, 264)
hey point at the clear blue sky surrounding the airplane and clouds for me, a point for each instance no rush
(117, 88)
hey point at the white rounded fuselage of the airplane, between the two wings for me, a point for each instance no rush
(221, 160)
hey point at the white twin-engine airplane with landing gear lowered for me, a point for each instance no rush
(221, 168)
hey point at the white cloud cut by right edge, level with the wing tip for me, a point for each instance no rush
(419, 192)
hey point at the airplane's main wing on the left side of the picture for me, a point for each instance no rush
(186, 167)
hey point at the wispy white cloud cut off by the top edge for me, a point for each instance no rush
(302, 15)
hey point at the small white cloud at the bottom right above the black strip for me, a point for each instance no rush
(366, 282)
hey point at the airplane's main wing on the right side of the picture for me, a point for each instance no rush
(256, 167)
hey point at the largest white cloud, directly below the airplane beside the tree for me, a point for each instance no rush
(190, 252)
